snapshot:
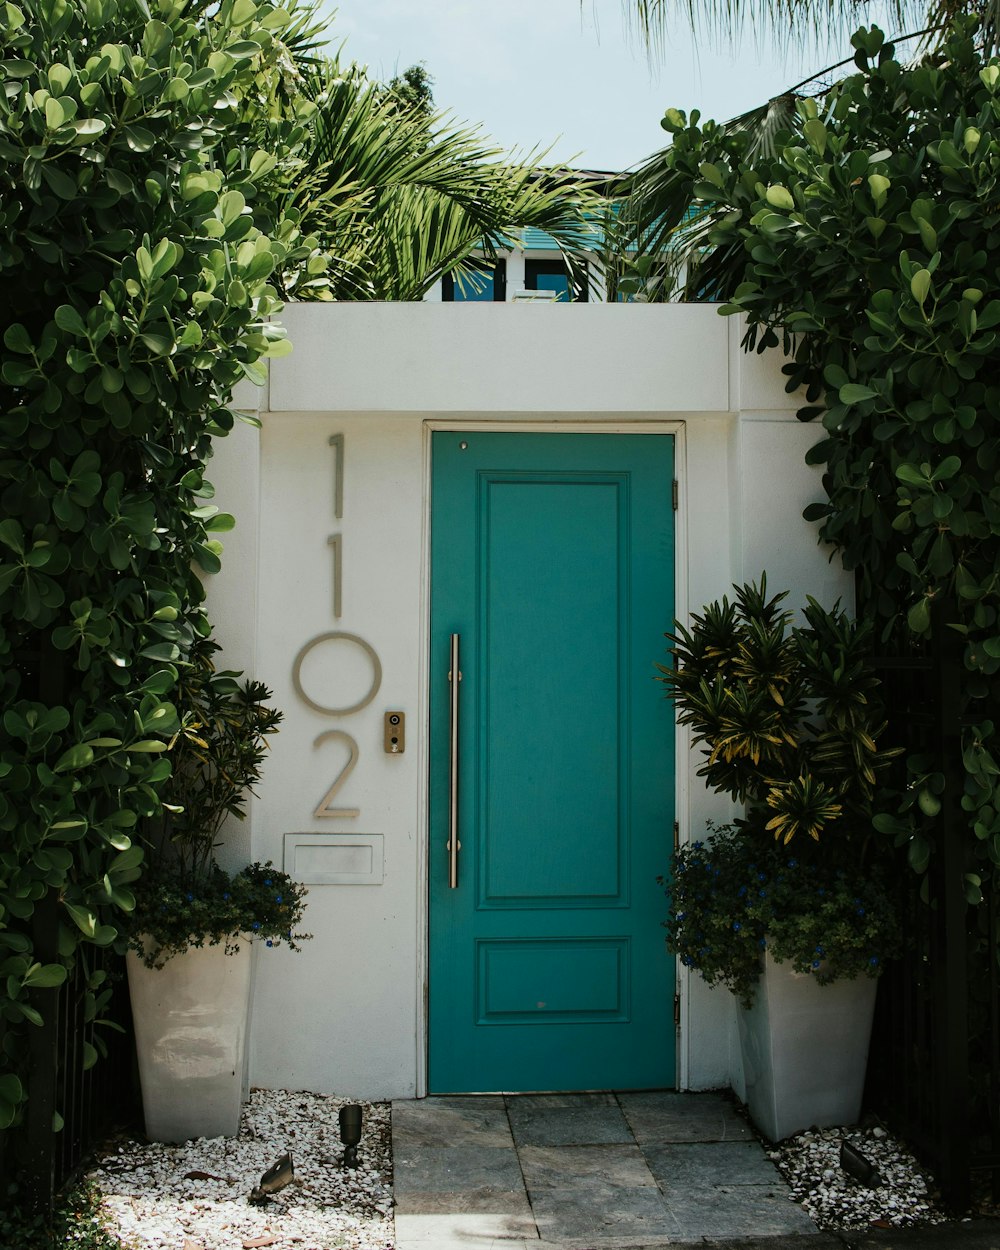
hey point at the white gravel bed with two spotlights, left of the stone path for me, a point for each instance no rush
(197, 1196)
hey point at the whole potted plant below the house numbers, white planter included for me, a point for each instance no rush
(194, 927)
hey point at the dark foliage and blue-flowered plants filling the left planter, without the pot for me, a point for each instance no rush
(186, 898)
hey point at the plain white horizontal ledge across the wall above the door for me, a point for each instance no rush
(503, 358)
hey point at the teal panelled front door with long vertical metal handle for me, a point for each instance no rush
(553, 562)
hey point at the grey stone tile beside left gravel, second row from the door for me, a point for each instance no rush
(454, 1173)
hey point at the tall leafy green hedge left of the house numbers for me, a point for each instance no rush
(143, 163)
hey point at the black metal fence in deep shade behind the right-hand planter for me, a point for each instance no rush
(934, 1072)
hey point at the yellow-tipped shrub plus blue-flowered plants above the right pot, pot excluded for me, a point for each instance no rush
(791, 723)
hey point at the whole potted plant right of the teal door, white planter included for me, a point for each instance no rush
(792, 906)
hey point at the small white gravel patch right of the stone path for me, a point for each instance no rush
(811, 1163)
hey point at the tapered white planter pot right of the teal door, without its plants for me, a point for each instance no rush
(806, 1051)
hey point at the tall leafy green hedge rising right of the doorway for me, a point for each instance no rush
(863, 237)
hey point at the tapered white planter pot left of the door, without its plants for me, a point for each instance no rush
(191, 1022)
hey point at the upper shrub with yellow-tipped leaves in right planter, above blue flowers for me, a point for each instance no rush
(789, 721)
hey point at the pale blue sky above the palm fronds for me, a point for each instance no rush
(557, 72)
